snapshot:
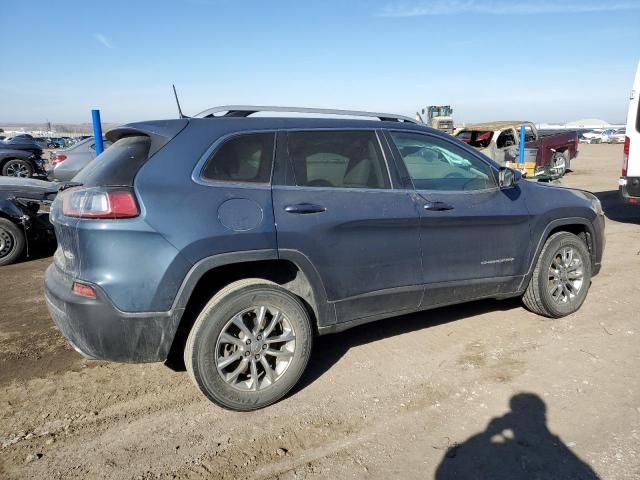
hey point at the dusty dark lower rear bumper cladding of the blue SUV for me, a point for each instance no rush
(98, 330)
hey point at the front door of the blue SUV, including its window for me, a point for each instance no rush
(474, 236)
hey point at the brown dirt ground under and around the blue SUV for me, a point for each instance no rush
(482, 390)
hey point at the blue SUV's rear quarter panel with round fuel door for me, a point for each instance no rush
(187, 213)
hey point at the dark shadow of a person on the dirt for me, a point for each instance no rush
(517, 445)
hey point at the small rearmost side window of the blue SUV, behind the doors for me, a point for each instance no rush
(242, 158)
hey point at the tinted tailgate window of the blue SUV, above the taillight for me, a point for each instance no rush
(118, 165)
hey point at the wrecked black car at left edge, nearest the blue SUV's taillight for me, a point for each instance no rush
(24, 216)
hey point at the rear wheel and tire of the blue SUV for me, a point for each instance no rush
(250, 345)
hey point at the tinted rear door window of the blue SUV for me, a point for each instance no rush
(337, 159)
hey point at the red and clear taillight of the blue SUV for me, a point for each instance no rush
(100, 203)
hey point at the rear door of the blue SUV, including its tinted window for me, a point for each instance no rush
(336, 208)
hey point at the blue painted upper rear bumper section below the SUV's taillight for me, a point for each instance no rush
(135, 266)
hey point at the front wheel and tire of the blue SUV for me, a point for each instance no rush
(561, 278)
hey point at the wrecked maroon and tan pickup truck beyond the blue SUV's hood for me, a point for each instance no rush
(500, 141)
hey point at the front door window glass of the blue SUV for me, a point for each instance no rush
(435, 164)
